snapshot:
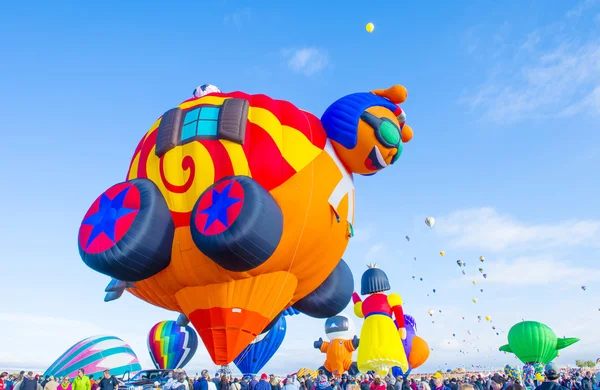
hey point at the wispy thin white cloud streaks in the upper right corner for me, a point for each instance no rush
(561, 81)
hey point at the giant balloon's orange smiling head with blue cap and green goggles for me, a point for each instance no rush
(376, 142)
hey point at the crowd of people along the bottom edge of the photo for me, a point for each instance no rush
(555, 379)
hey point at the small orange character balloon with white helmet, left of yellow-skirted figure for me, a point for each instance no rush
(342, 342)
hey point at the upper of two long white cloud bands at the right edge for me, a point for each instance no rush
(487, 230)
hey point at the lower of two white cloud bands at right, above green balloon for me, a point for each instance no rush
(539, 270)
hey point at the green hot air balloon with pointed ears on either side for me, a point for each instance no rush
(534, 342)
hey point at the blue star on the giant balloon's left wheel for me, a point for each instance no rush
(109, 212)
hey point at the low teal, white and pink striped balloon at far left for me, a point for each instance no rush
(96, 354)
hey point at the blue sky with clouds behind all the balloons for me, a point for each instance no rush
(504, 98)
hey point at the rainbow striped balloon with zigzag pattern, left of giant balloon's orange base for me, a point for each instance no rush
(171, 346)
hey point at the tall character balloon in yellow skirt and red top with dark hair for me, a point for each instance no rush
(380, 337)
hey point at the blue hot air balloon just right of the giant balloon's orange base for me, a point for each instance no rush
(254, 357)
